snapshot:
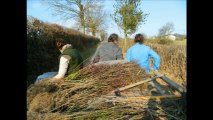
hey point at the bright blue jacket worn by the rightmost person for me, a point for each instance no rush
(141, 53)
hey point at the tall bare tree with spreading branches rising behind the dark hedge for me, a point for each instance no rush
(71, 9)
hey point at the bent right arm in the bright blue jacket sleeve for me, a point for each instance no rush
(155, 58)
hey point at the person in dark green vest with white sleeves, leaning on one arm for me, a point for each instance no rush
(70, 61)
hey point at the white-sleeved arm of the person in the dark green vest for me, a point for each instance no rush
(63, 65)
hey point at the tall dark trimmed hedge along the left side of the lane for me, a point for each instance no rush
(42, 54)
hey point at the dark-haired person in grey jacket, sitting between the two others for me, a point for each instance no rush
(108, 51)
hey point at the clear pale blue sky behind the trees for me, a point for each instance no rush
(160, 12)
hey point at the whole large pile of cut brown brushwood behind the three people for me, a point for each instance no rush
(88, 94)
